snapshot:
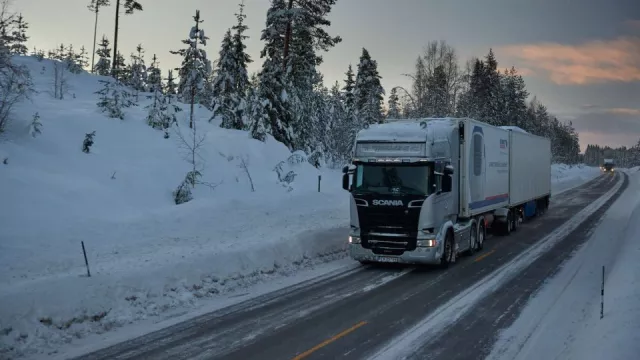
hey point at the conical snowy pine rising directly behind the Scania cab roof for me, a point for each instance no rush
(368, 91)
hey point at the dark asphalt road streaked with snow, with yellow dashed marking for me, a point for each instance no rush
(355, 313)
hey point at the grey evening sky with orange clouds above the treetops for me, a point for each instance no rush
(580, 58)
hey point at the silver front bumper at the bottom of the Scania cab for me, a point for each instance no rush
(421, 255)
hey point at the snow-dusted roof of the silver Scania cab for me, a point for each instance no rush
(408, 130)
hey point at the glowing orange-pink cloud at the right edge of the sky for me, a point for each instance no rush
(599, 61)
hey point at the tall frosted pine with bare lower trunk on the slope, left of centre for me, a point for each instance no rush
(196, 68)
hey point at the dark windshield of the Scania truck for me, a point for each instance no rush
(409, 179)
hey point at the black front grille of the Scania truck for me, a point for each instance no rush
(388, 230)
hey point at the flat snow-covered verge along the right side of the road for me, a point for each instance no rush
(562, 321)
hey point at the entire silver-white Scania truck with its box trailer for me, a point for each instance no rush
(424, 191)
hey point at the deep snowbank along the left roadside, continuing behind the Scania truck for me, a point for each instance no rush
(149, 259)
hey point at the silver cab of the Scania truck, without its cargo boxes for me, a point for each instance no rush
(401, 181)
